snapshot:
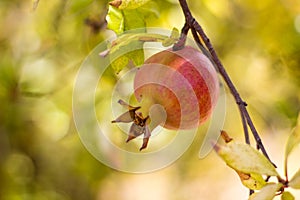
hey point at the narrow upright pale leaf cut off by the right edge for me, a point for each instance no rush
(293, 141)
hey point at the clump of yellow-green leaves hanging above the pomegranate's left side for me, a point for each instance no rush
(125, 15)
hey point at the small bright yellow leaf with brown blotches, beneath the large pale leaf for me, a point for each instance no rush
(252, 181)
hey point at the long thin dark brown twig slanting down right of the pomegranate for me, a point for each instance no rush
(246, 119)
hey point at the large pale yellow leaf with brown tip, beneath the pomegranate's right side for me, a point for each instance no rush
(246, 159)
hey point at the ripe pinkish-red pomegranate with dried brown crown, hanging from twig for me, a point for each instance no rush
(185, 85)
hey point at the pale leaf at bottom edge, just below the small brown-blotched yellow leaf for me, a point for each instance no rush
(268, 192)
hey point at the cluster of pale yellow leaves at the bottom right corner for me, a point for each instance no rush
(254, 169)
